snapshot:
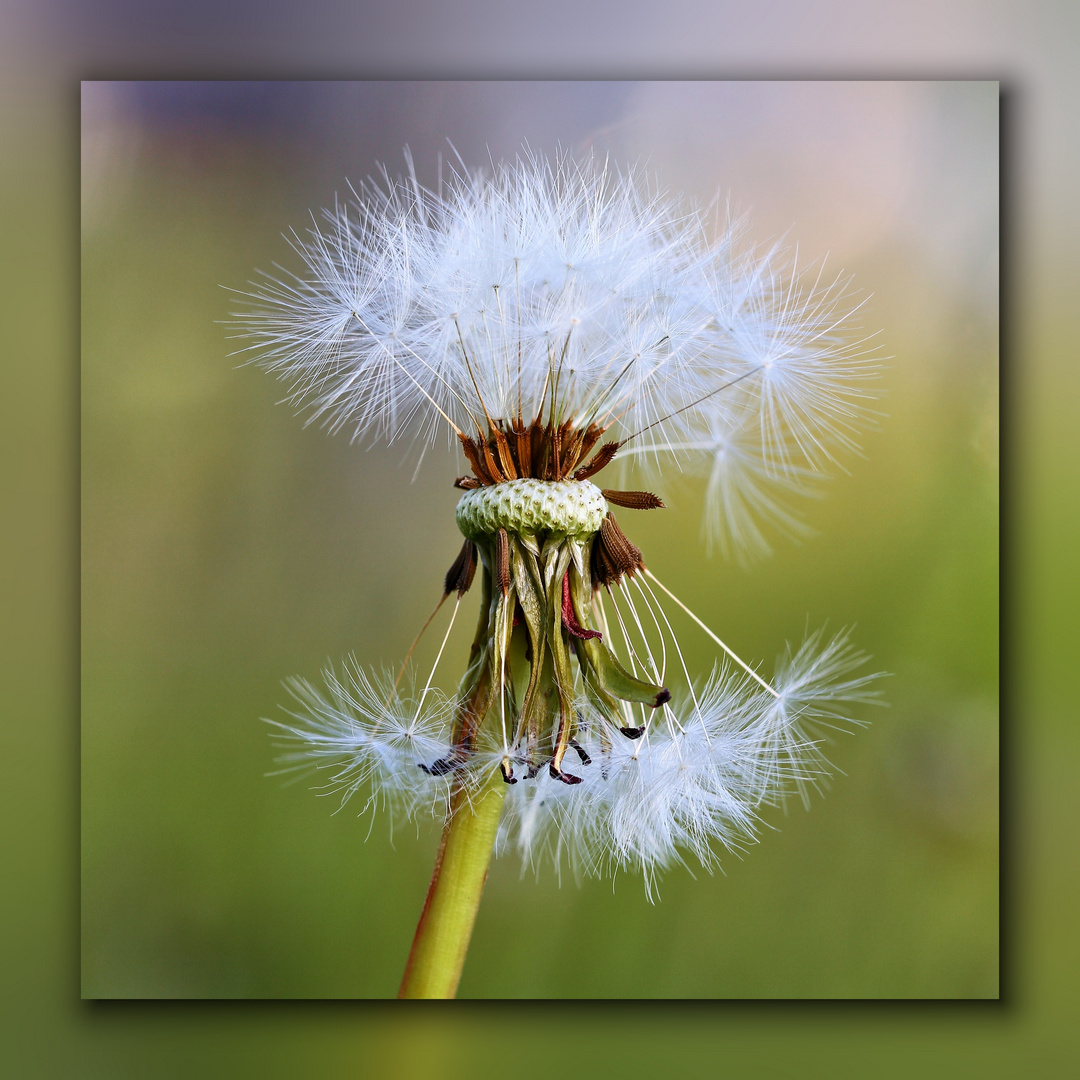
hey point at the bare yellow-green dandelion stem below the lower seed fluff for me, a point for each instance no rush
(442, 937)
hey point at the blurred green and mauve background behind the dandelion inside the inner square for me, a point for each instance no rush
(226, 547)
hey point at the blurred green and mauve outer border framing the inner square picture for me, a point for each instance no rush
(49, 47)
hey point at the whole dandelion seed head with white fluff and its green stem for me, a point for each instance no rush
(552, 319)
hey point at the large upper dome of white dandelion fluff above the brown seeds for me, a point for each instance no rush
(416, 312)
